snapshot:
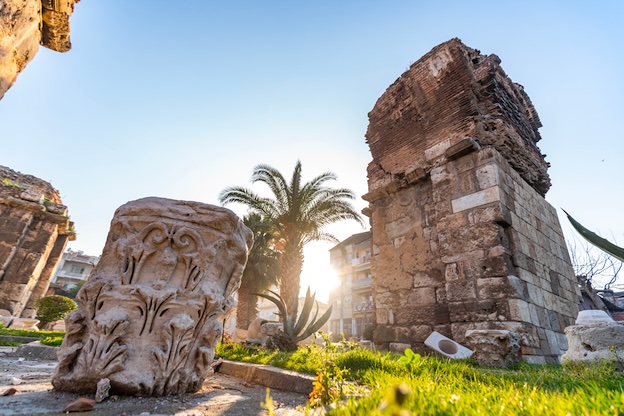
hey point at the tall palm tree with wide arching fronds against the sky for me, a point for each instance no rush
(298, 212)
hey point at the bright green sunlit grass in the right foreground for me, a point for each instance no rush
(433, 386)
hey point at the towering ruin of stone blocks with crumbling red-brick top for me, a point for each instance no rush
(462, 236)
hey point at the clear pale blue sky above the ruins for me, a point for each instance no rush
(181, 99)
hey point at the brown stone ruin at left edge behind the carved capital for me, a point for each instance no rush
(34, 230)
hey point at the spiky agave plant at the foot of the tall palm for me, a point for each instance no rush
(296, 330)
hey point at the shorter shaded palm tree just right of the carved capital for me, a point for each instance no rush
(261, 271)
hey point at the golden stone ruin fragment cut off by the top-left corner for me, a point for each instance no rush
(24, 25)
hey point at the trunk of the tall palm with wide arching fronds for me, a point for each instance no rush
(290, 272)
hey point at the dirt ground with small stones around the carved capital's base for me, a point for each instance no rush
(220, 395)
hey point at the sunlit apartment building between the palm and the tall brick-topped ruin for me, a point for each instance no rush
(353, 297)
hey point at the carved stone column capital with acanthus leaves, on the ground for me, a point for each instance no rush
(150, 314)
